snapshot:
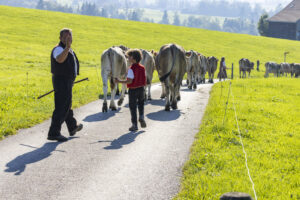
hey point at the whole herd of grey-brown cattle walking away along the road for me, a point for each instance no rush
(171, 63)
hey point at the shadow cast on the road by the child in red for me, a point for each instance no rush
(123, 140)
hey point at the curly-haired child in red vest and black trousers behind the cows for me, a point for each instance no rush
(136, 82)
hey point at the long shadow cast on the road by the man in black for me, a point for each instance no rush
(18, 165)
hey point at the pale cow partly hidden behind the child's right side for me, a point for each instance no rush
(149, 63)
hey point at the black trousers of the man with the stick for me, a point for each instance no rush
(63, 103)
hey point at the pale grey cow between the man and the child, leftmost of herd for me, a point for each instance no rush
(113, 65)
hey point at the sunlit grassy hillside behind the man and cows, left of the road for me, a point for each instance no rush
(27, 37)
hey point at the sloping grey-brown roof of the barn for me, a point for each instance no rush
(291, 13)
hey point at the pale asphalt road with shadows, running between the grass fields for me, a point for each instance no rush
(105, 160)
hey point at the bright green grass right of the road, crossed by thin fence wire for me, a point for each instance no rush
(268, 115)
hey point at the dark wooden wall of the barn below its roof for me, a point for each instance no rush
(282, 30)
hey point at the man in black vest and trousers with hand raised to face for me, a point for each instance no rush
(64, 69)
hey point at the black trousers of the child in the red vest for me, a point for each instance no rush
(136, 99)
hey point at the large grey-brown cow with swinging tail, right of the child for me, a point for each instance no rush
(171, 67)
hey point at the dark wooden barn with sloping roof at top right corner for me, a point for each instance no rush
(286, 23)
